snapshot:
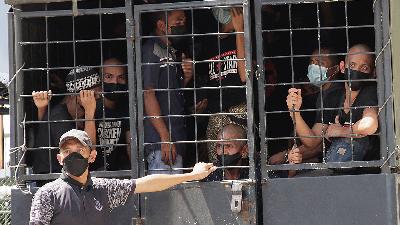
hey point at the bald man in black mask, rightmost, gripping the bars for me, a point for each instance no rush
(352, 111)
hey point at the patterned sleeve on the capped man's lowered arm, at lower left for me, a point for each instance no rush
(42, 208)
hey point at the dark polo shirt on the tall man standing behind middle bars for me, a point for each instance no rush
(163, 73)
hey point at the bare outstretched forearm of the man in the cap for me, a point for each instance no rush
(160, 182)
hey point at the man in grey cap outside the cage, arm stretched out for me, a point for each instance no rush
(76, 198)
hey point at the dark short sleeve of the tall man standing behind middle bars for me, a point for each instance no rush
(150, 73)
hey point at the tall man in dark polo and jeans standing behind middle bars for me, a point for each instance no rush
(164, 73)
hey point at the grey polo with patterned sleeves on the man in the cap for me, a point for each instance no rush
(66, 201)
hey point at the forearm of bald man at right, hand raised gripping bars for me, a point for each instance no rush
(304, 132)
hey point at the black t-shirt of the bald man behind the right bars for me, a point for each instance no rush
(334, 98)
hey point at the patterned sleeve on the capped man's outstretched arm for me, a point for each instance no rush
(118, 190)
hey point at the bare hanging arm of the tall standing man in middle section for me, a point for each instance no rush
(152, 108)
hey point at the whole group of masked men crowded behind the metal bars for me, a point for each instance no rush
(334, 112)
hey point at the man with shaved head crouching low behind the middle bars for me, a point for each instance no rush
(231, 152)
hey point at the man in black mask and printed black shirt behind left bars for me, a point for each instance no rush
(115, 131)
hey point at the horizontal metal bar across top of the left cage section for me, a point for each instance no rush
(59, 13)
